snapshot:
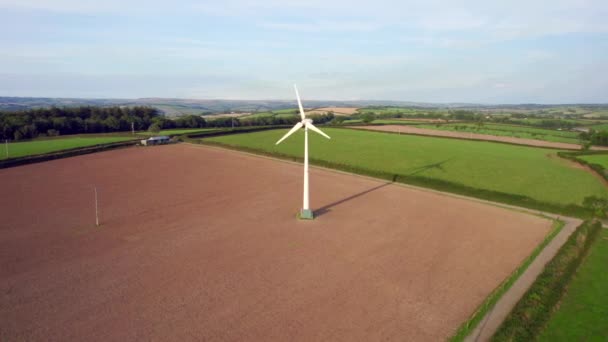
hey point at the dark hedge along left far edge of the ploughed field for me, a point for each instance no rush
(71, 152)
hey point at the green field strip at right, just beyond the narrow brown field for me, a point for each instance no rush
(511, 131)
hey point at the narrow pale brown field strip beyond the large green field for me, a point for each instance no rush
(474, 136)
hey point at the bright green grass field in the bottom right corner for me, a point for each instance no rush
(583, 312)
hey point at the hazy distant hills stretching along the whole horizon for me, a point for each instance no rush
(177, 107)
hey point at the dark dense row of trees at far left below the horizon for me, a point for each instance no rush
(73, 120)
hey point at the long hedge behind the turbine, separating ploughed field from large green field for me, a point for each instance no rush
(572, 210)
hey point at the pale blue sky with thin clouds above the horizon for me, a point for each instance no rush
(432, 51)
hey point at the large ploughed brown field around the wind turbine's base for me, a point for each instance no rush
(199, 243)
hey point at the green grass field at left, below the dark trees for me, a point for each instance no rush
(29, 148)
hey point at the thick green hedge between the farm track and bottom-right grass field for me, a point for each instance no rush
(534, 309)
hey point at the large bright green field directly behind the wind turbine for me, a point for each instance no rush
(533, 172)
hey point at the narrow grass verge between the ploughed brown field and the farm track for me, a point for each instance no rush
(471, 323)
